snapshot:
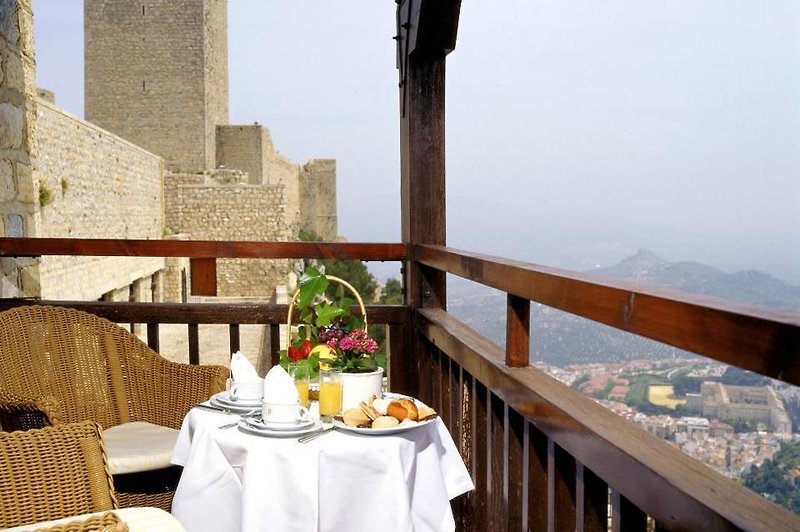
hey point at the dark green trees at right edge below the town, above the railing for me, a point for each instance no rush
(775, 479)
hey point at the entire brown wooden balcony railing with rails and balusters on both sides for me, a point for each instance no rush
(543, 456)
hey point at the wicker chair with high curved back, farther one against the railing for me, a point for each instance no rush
(62, 365)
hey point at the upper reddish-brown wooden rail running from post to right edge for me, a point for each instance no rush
(759, 339)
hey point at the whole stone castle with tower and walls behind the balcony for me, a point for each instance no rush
(156, 158)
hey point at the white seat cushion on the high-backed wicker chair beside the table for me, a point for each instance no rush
(138, 446)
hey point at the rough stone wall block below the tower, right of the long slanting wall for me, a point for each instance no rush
(214, 211)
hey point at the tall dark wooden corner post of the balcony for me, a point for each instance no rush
(425, 34)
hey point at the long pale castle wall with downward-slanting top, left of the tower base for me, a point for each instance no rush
(94, 185)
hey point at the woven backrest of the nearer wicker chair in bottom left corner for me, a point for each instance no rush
(52, 473)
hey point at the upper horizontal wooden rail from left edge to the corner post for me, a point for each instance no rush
(34, 247)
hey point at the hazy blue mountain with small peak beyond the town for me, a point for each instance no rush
(560, 338)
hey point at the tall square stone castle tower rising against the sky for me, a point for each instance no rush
(156, 74)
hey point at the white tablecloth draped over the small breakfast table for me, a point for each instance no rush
(341, 481)
